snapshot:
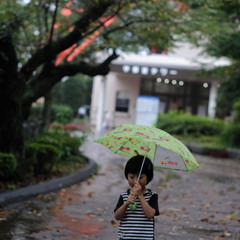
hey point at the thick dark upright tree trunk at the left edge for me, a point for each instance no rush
(11, 92)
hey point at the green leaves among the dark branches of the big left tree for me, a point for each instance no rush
(141, 23)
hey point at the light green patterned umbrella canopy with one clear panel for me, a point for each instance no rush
(163, 149)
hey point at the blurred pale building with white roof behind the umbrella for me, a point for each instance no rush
(176, 81)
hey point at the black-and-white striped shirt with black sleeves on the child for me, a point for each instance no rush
(134, 224)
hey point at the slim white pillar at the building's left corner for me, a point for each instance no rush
(100, 108)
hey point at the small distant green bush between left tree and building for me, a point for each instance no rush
(62, 113)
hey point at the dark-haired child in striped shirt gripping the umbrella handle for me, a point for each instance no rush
(139, 223)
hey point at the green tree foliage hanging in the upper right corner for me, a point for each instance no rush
(216, 27)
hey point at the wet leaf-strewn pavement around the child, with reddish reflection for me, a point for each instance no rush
(202, 204)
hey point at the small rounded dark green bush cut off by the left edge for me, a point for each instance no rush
(8, 165)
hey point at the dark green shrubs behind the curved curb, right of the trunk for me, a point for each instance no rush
(51, 149)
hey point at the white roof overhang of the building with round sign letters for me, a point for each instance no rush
(183, 62)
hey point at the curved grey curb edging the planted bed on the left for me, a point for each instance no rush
(46, 187)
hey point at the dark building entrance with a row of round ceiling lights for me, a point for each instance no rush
(174, 94)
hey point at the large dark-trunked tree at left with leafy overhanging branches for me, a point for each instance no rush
(42, 41)
